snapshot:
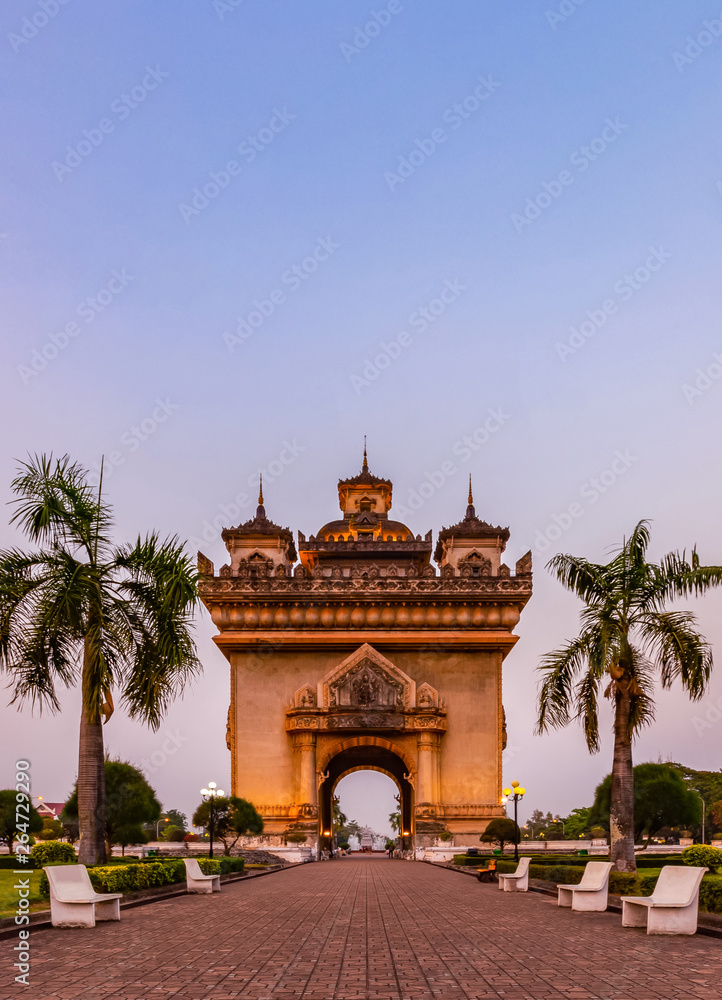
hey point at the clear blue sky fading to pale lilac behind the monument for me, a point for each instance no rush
(237, 236)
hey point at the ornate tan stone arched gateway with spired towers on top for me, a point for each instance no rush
(362, 656)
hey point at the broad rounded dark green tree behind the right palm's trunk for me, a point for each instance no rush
(661, 798)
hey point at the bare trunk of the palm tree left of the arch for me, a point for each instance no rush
(91, 778)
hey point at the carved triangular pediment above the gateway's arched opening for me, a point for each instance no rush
(367, 680)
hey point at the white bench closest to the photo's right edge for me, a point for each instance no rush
(673, 906)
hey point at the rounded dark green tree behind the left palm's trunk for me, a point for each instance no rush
(130, 802)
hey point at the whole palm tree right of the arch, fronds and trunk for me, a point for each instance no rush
(628, 637)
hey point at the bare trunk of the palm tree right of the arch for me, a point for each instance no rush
(621, 818)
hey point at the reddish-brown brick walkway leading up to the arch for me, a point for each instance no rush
(365, 928)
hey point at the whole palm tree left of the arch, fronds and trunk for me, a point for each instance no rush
(82, 609)
